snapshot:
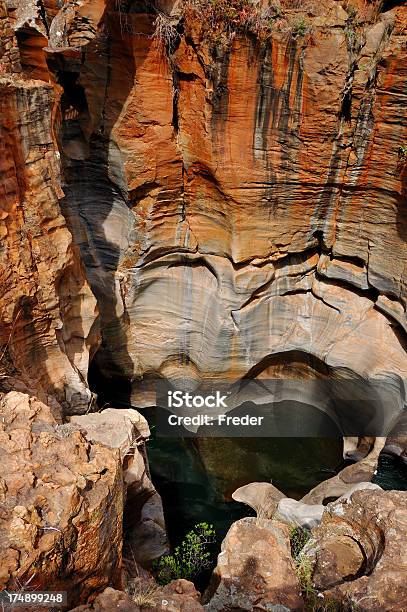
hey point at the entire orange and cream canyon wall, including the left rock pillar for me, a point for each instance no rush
(236, 205)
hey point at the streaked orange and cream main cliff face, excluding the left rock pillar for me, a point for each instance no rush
(214, 233)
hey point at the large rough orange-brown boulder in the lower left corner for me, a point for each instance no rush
(61, 501)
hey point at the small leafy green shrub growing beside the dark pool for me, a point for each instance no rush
(190, 558)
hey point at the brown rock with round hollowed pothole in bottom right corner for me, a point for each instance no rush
(359, 553)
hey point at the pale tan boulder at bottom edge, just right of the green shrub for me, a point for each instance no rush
(254, 569)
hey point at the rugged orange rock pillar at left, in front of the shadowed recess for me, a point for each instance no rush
(48, 312)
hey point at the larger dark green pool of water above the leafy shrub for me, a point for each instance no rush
(196, 477)
